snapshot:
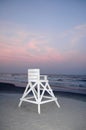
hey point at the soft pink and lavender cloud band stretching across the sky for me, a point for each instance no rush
(22, 46)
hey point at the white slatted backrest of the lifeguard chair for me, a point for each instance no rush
(33, 75)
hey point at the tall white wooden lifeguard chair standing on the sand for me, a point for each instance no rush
(38, 90)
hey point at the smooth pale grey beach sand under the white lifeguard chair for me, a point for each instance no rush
(70, 116)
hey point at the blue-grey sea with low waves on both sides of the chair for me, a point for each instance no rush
(62, 81)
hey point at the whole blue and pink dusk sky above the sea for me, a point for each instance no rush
(45, 34)
